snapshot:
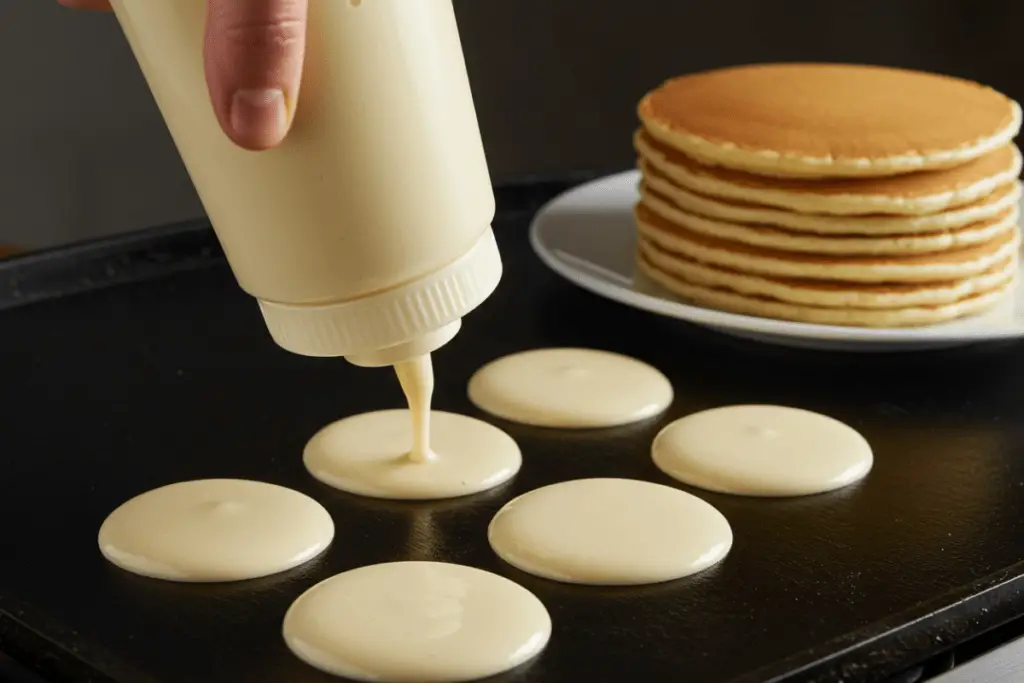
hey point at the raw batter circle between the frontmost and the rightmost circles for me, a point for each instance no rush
(610, 532)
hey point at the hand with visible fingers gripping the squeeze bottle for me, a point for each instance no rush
(254, 52)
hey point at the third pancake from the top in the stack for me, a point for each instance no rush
(1001, 200)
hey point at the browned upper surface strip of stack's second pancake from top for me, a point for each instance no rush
(920, 184)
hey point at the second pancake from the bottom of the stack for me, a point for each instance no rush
(832, 295)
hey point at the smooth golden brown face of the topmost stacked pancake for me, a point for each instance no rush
(830, 111)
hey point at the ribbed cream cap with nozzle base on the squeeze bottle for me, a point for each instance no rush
(395, 325)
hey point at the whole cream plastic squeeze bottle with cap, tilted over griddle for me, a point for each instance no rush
(367, 234)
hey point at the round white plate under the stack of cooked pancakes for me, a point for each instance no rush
(588, 237)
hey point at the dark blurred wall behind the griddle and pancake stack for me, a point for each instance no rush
(83, 151)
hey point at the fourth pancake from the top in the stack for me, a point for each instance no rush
(774, 238)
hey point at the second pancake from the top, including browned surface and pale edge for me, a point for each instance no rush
(912, 194)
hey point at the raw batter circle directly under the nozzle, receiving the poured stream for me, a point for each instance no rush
(368, 455)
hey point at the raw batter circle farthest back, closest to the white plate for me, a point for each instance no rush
(571, 388)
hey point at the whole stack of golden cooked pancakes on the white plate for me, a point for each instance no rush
(831, 194)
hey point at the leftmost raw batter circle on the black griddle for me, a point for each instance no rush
(216, 531)
